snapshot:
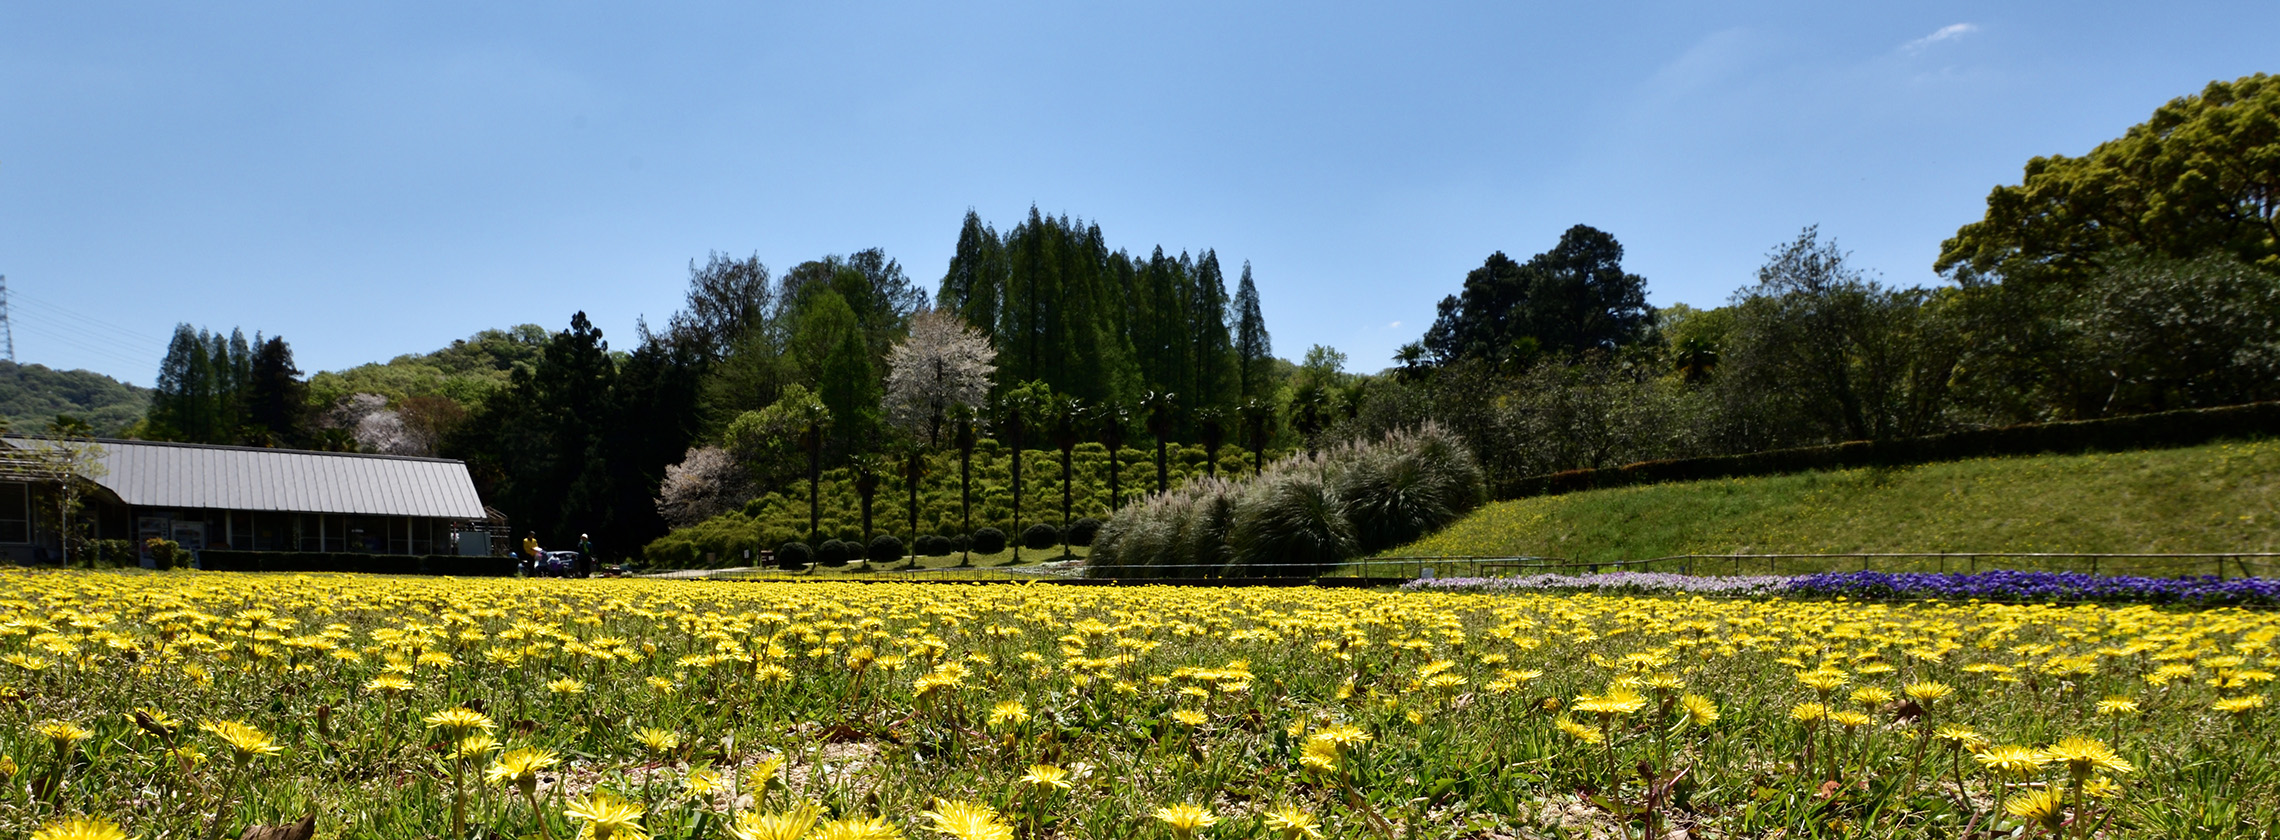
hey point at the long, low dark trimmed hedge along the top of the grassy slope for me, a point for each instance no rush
(2069, 437)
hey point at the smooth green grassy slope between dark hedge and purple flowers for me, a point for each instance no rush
(2208, 499)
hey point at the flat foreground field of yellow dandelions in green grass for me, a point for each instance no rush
(206, 704)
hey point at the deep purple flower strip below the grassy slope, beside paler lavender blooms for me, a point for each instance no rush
(2039, 585)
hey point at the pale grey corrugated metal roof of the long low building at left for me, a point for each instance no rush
(147, 474)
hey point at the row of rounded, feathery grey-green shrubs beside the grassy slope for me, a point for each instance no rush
(1298, 517)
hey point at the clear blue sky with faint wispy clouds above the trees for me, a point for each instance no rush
(380, 179)
